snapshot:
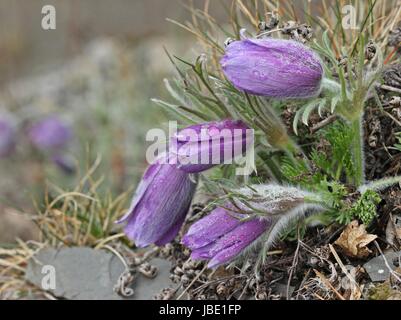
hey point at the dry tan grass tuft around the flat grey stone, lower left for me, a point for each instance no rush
(80, 217)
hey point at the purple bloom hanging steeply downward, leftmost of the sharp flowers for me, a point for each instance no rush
(160, 205)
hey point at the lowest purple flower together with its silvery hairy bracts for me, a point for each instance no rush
(228, 231)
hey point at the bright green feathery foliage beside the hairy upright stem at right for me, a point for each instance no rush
(331, 167)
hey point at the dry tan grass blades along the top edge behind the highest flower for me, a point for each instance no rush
(374, 17)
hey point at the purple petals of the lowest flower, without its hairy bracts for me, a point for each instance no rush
(220, 236)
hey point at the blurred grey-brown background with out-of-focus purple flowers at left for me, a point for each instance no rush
(79, 93)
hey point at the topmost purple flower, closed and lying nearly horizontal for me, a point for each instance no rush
(273, 67)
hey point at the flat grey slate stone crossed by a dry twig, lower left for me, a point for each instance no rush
(86, 274)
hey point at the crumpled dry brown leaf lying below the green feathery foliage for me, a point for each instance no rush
(354, 240)
